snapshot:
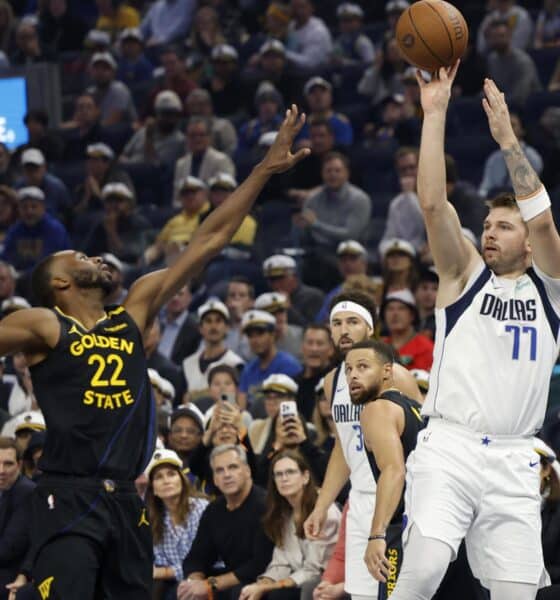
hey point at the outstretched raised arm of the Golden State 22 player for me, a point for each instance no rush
(152, 291)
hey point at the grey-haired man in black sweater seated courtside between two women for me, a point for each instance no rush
(230, 529)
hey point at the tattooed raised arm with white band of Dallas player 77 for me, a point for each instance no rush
(531, 196)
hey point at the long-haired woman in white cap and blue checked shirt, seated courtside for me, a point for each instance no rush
(174, 512)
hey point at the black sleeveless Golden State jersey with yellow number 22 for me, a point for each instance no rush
(94, 391)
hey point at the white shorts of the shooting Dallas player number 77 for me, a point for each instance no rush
(484, 488)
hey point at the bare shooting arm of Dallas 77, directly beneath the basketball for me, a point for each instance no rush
(453, 256)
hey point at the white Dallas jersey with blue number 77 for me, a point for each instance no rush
(494, 352)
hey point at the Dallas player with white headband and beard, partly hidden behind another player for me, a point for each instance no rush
(351, 321)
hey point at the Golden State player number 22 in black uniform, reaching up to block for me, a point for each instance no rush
(90, 535)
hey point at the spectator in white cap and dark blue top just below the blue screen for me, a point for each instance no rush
(35, 174)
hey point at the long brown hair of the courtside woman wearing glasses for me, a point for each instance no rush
(278, 510)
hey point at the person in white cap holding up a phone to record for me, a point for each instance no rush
(284, 428)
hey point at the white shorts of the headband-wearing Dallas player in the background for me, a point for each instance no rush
(357, 579)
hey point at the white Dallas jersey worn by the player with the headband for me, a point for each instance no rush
(347, 419)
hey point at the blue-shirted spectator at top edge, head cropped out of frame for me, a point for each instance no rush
(167, 21)
